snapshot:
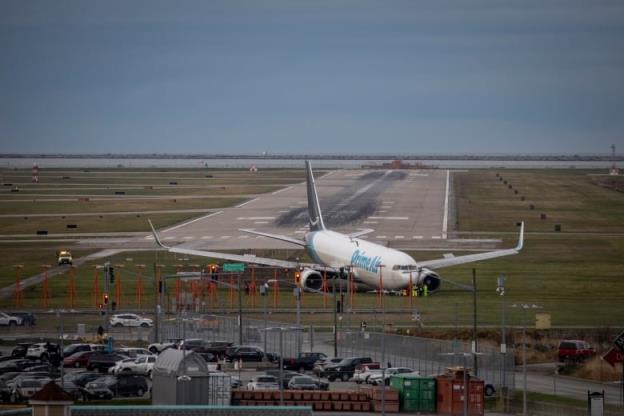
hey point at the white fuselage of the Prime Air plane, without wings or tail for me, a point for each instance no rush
(337, 250)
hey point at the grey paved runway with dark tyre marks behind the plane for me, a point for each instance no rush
(398, 205)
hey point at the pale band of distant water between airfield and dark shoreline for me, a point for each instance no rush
(21, 163)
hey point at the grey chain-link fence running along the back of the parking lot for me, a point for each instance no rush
(428, 356)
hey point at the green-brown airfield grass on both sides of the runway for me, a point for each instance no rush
(576, 275)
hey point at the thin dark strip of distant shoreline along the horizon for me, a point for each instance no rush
(422, 157)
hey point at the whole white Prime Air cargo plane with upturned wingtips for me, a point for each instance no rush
(372, 265)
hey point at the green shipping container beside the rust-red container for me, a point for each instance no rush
(415, 393)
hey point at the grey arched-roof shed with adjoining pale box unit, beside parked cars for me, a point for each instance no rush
(185, 380)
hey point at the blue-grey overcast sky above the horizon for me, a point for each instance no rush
(335, 76)
